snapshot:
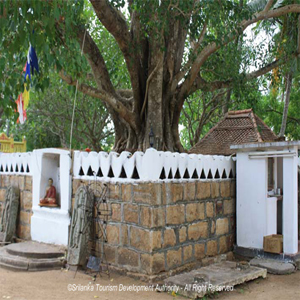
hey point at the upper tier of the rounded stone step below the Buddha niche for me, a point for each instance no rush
(35, 250)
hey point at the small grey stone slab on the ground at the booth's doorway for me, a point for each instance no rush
(273, 266)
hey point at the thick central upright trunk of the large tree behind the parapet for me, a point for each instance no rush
(156, 102)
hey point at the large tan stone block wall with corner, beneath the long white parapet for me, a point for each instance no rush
(166, 227)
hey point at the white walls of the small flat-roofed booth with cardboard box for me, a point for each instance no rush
(256, 213)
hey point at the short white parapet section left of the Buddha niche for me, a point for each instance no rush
(15, 163)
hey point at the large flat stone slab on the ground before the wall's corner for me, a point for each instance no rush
(217, 277)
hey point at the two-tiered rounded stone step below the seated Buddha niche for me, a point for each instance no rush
(10, 258)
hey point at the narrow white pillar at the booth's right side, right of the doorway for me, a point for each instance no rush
(290, 204)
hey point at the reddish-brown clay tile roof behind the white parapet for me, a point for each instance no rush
(237, 127)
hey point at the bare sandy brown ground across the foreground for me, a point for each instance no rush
(54, 285)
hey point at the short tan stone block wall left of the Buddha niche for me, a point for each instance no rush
(24, 183)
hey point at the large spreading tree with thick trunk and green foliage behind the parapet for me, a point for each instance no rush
(167, 46)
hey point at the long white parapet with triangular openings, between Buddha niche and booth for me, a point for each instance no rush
(152, 165)
